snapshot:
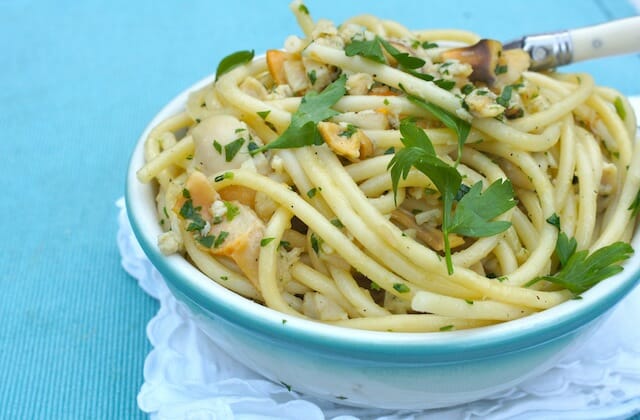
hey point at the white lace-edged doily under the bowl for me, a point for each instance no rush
(187, 375)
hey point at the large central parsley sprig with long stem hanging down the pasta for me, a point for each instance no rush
(475, 210)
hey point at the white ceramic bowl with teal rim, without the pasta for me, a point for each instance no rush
(365, 368)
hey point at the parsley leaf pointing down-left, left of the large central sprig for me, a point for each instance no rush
(314, 107)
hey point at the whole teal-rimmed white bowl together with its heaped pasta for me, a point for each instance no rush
(373, 216)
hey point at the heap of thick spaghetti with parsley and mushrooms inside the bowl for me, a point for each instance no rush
(371, 176)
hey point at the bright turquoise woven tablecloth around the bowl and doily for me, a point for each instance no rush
(78, 83)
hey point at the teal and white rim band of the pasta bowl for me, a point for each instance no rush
(362, 345)
